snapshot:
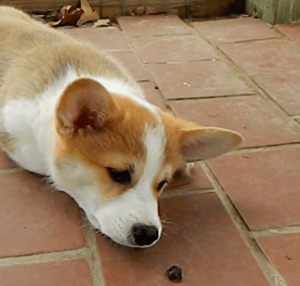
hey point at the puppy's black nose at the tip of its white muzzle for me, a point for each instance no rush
(144, 234)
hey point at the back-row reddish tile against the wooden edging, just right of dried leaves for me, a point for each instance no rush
(153, 25)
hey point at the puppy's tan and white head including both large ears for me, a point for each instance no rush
(115, 155)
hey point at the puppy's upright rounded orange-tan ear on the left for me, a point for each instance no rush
(85, 105)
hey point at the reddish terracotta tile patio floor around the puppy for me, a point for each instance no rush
(237, 221)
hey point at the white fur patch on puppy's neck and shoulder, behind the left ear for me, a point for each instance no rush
(30, 121)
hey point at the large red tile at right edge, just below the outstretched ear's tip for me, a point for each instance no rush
(263, 186)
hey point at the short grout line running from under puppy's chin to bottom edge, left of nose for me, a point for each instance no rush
(92, 255)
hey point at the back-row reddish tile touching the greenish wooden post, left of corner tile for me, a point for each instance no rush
(233, 30)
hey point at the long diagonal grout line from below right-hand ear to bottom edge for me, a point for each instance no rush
(266, 267)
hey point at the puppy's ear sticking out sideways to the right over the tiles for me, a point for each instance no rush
(201, 143)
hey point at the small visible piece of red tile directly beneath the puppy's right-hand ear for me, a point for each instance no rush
(196, 181)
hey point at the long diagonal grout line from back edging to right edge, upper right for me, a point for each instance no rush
(252, 84)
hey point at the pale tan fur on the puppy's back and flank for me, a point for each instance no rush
(32, 56)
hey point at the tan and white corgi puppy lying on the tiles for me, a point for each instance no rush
(73, 114)
